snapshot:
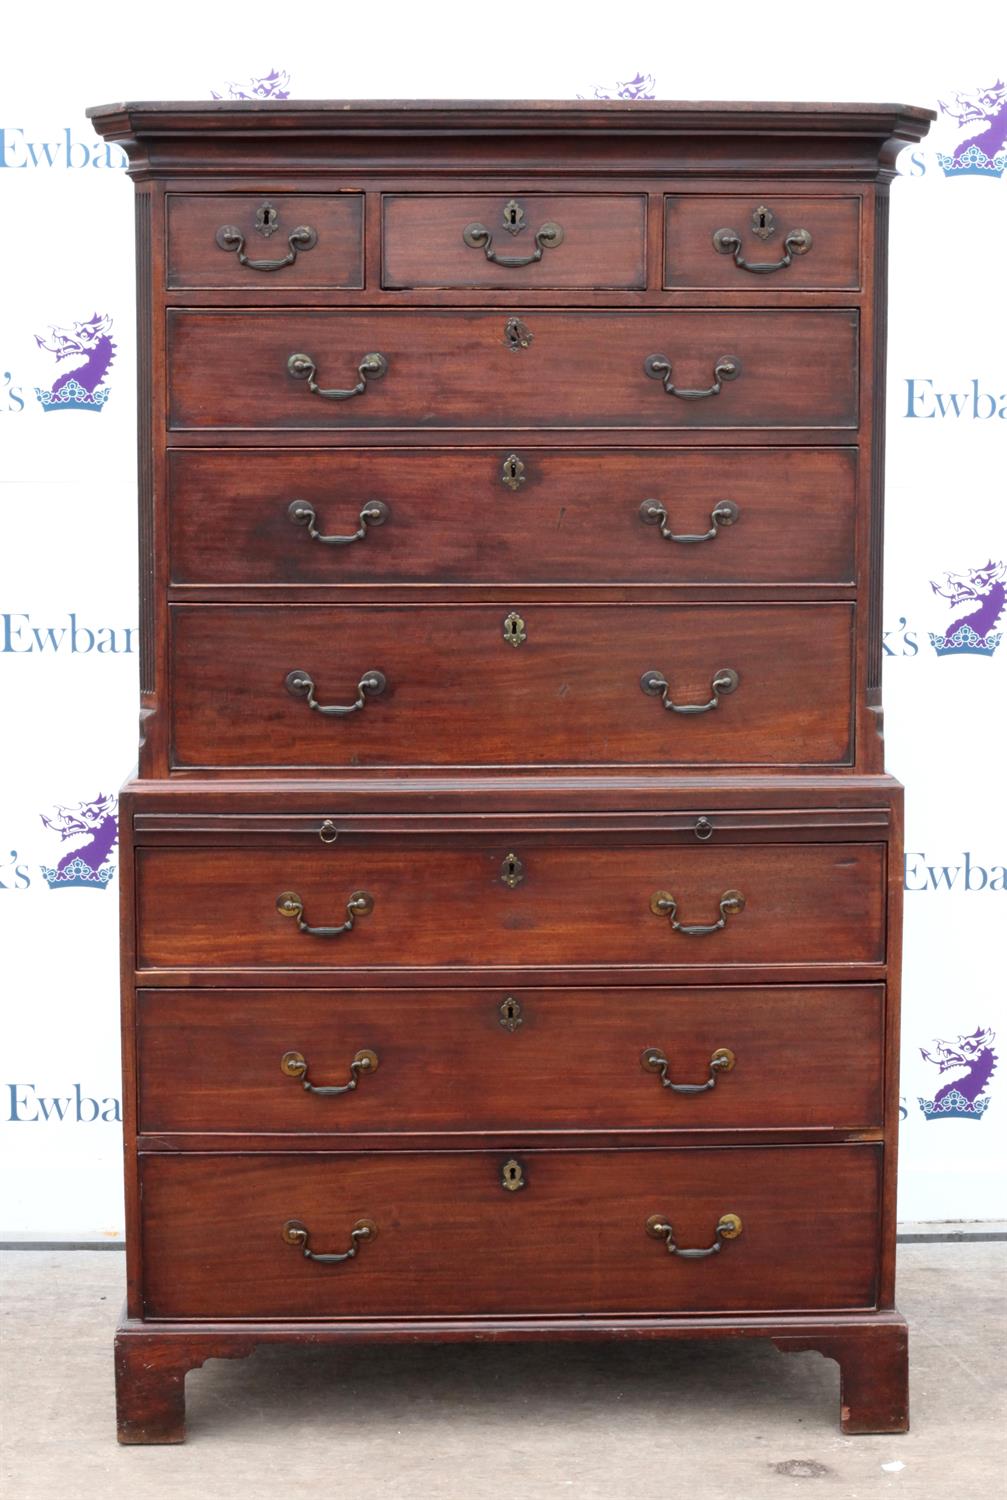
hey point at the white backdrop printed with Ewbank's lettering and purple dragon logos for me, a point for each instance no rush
(68, 574)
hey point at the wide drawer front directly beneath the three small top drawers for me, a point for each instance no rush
(463, 370)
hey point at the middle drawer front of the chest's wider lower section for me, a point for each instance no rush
(531, 1060)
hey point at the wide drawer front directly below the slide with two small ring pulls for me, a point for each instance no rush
(446, 904)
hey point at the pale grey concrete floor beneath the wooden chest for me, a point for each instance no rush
(514, 1423)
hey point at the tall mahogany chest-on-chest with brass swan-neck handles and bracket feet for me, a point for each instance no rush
(511, 874)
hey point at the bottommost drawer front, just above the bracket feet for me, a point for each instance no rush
(451, 1240)
